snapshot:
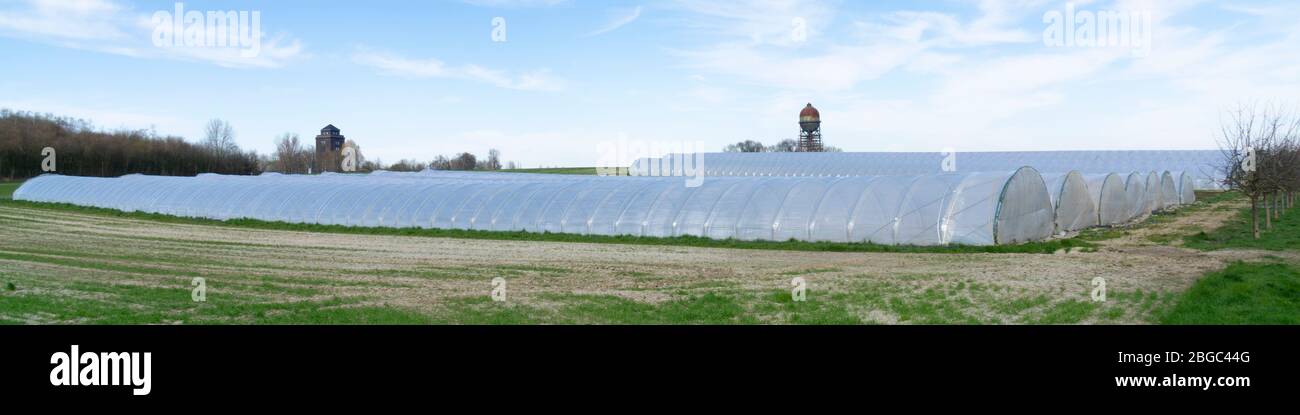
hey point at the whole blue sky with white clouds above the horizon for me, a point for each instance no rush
(549, 83)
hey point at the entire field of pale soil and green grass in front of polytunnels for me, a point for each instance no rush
(67, 266)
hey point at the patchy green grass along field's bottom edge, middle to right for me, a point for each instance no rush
(911, 305)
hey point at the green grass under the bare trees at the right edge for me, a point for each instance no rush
(1237, 234)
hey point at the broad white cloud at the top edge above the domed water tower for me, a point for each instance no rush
(757, 45)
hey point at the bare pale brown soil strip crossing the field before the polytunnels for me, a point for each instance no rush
(426, 274)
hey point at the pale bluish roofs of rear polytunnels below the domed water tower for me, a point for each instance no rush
(1202, 165)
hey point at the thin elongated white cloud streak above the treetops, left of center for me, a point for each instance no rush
(398, 66)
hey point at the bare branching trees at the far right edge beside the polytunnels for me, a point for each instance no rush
(1262, 159)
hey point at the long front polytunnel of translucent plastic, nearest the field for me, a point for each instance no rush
(969, 209)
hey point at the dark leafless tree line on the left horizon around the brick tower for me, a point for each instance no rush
(81, 150)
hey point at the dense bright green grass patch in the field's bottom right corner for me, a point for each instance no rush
(1243, 293)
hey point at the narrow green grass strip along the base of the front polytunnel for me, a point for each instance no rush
(1030, 248)
